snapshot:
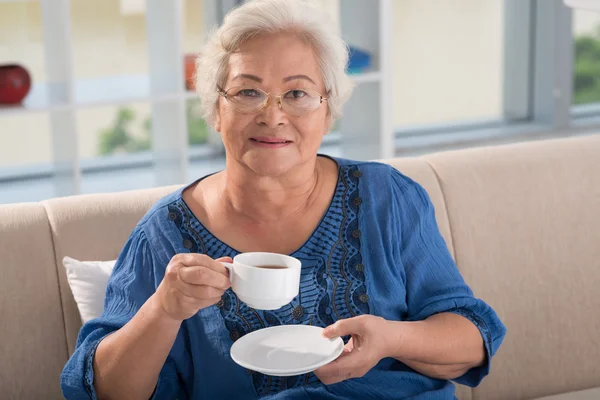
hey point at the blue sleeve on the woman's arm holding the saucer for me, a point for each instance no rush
(433, 283)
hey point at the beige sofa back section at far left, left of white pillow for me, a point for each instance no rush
(33, 347)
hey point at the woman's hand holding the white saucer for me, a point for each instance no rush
(362, 352)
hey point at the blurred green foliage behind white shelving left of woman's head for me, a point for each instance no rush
(118, 137)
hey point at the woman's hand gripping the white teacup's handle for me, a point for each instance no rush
(192, 282)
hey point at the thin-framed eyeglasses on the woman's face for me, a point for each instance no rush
(297, 102)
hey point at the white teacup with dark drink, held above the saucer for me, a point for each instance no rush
(264, 281)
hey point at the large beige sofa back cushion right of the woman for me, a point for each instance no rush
(525, 227)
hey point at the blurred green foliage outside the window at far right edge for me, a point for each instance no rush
(586, 77)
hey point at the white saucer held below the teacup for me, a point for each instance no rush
(286, 350)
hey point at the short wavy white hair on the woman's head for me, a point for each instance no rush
(271, 17)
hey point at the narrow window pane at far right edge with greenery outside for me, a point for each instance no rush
(586, 68)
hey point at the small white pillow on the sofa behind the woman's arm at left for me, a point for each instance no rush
(88, 280)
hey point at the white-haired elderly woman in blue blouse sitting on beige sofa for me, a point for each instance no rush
(375, 269)
